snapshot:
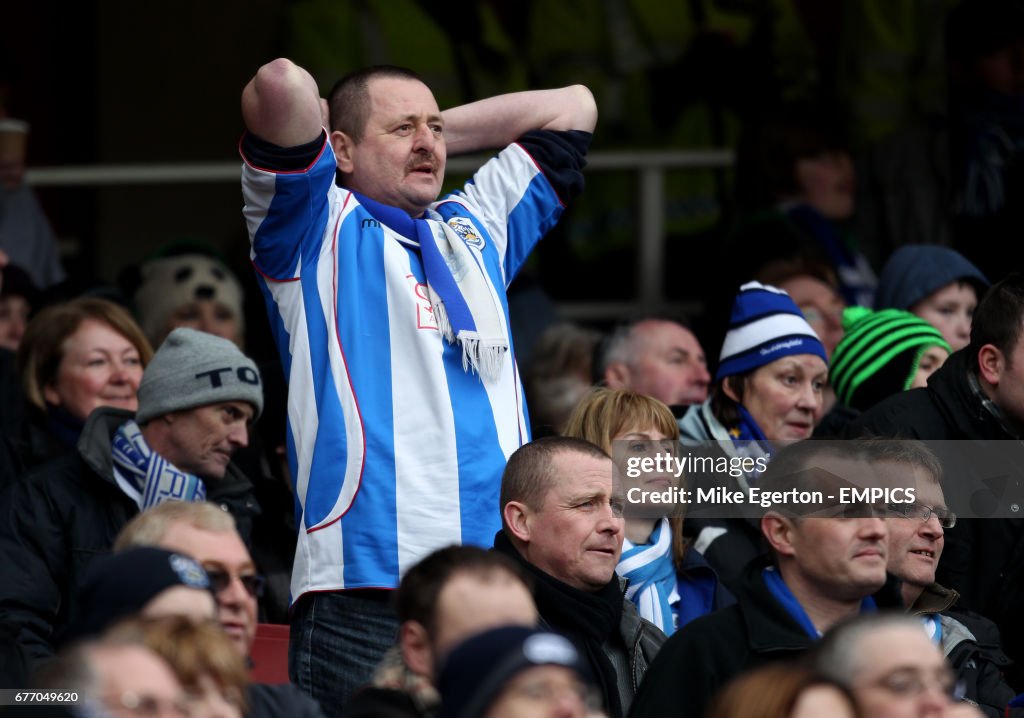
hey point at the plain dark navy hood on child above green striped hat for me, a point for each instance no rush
(914, 272)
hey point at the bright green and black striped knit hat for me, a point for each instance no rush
(879, 355)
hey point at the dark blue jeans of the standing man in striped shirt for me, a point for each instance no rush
(336, 642)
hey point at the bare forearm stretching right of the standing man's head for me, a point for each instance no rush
(498, 121)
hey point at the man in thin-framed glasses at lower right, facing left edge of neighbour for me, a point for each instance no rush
(917, 536)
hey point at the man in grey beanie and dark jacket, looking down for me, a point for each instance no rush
(196, 402)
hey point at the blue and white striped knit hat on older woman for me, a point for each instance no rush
(766, 325)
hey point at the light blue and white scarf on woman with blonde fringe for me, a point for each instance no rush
(653, 577)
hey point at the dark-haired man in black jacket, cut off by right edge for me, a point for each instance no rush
(977, 396)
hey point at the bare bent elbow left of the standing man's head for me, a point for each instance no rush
(282, 105)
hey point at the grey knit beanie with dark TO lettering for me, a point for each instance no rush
(195, 369)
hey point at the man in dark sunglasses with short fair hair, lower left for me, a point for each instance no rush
(208, 535)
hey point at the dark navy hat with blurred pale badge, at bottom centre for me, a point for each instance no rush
(478, 670)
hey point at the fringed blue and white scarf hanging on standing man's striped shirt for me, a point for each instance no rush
(465, 305)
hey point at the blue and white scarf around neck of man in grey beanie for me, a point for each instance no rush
(153, 478)
